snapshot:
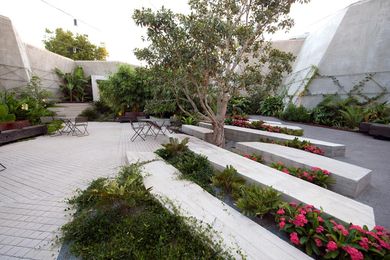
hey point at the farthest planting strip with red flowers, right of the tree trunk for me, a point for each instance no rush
(242, 121)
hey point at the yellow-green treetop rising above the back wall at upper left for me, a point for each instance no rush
(76, 47)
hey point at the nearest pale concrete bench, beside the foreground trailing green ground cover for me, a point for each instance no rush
(233, 228)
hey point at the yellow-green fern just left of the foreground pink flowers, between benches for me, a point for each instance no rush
(256, 201)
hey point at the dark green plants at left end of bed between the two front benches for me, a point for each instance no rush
(193, 167)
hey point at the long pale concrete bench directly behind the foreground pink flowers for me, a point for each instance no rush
(292, 188)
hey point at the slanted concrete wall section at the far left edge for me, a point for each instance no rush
(14, 66)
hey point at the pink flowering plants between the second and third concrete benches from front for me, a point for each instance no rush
(314, 175)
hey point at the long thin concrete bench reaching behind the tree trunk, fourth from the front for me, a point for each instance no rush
(241, 134)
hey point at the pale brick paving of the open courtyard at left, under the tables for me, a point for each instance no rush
(42, 173)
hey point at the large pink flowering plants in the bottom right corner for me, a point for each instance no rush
(310, 229)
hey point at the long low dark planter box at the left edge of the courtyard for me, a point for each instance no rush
(17, 134)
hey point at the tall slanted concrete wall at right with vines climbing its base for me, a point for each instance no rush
(346, 48)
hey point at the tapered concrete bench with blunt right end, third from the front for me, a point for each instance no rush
(351, 180)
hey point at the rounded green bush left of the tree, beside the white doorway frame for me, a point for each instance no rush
(126, 90)
